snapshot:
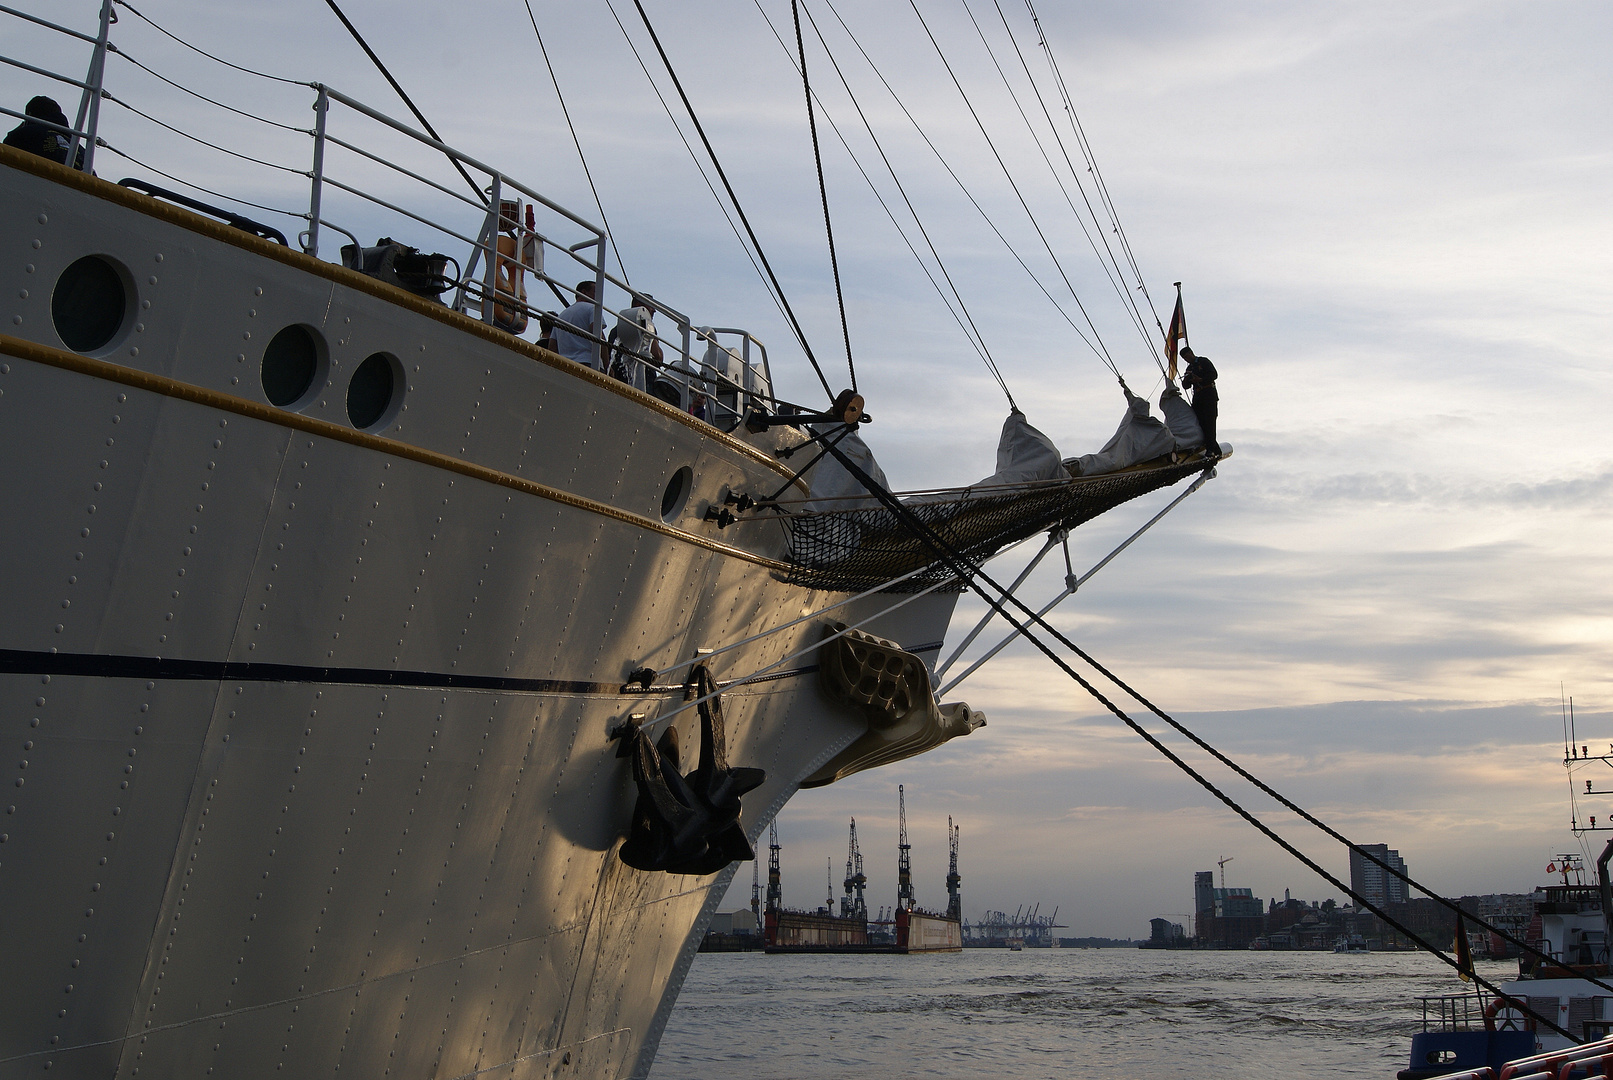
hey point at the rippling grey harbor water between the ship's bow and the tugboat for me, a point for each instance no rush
(1052, 1013)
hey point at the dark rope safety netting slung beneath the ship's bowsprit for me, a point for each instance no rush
(851, 550)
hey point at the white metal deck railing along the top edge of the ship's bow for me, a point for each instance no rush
(717, 373)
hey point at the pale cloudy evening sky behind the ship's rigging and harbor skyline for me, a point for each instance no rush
(1391, 225)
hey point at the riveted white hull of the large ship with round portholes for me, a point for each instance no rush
(311, 726)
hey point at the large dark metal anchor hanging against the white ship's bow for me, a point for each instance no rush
(688, 825)
